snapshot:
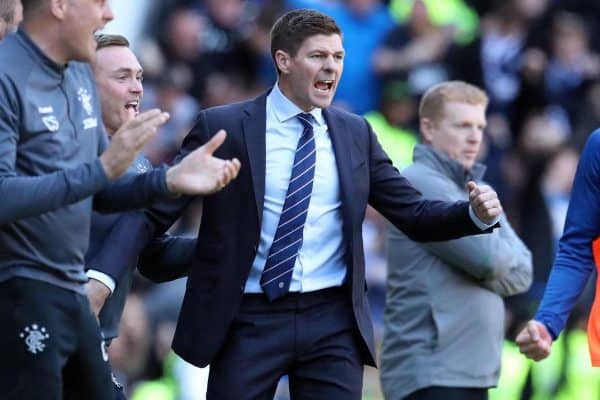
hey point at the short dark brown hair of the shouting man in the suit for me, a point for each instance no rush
(292, 28)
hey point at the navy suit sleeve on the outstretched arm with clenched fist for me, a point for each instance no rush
(396, 199)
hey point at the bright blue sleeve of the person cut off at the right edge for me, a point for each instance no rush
(574, 260)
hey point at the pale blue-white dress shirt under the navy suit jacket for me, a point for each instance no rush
(320, 262)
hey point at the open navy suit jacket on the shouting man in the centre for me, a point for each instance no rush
(231, 220)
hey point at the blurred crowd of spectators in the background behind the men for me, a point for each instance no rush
(536, 60)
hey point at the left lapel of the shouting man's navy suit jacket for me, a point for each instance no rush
(254, 127)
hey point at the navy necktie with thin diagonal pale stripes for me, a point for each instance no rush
(277, 274)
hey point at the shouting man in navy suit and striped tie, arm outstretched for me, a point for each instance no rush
(277, 285)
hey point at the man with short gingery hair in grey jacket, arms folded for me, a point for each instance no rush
(444, 315)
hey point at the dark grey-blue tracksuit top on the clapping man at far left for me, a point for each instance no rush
(51, 136)
